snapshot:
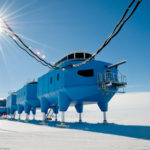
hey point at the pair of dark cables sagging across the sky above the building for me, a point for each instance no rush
(31, 53)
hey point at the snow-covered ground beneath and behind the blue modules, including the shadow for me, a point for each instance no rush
(128, 128)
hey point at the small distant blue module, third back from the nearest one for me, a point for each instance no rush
(11, 104)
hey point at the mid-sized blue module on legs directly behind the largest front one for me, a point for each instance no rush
(27, 99)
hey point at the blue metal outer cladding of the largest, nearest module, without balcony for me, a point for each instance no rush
(73, 88)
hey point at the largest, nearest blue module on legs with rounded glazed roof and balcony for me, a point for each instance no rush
(93, 82)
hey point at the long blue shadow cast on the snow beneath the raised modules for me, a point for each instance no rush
(134, 131)
